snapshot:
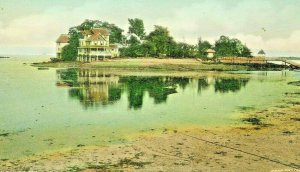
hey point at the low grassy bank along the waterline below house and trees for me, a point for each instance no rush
(162, 64)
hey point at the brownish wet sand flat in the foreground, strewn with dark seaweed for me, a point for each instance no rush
(269, 141)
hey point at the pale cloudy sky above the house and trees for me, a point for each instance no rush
(32, 26)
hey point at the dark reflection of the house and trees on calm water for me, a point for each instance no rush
(95, 88)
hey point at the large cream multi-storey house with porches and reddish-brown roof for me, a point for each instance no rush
(95, 46)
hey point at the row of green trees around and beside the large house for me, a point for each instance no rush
(158, 43)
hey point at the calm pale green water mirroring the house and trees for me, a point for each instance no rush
(57, 109)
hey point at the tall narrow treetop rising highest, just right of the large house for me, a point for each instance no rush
(136, 26)
